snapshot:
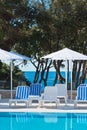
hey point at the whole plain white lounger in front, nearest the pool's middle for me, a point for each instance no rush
(50, 95)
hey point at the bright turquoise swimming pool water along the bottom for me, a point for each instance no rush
(43, 121)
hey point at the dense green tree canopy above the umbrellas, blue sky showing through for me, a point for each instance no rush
(40, 27)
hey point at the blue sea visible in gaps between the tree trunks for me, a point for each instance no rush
(30, 77)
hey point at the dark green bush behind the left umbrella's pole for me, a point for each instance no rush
(18, 76)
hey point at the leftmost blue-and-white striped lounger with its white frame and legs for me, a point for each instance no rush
(22, 93)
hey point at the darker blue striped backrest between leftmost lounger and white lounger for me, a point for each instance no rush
(35, 89)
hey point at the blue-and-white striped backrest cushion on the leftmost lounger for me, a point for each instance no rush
(22, 92)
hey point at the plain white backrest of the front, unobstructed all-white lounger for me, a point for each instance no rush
(50, 93)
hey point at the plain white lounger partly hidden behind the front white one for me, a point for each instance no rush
(61, 92)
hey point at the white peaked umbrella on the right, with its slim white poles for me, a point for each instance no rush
(66, 54)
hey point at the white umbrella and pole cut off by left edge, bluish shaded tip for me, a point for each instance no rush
(5, 55)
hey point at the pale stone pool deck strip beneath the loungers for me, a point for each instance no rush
(48, 107)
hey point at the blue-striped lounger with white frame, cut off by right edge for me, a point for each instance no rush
(81, 94)
